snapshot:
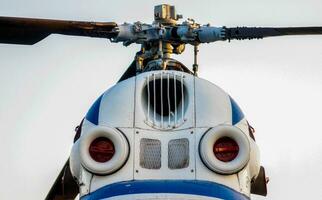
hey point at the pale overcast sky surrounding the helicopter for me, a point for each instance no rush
(47, 88)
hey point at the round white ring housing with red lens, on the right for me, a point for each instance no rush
(225, 159)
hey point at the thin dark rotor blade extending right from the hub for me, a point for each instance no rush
(242, 33)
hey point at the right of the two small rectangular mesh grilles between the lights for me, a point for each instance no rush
(178, 154)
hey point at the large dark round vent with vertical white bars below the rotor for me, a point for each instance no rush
(165, 100)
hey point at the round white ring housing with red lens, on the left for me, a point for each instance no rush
(103, 150)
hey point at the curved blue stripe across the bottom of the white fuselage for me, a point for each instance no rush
(192, 187)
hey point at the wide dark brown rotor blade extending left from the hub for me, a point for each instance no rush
(30, 31)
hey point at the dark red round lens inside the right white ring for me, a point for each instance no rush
(226, 149)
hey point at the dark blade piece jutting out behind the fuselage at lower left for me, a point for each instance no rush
(65, 187)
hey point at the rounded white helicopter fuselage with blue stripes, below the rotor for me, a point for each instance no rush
(163, 125)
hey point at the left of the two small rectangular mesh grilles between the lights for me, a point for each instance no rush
(150, 153)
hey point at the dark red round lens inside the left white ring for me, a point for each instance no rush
(102, 149)
